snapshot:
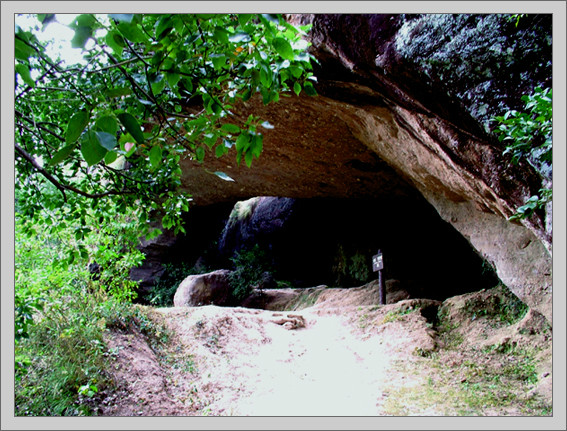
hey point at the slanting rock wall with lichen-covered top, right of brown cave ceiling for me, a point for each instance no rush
(445, 76)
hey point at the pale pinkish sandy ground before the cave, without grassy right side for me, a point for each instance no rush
(320, 361)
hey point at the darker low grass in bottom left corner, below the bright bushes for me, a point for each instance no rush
(61, 367)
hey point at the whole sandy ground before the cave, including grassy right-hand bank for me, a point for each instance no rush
(337, 358)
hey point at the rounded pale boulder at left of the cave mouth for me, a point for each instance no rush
(204, 289)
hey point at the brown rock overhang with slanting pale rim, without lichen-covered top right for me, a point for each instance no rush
(375, 132)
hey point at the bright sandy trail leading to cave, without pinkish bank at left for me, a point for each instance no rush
(250, 366)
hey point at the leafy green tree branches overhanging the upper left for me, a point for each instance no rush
(107, 136)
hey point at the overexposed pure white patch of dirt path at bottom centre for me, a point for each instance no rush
(318, 370)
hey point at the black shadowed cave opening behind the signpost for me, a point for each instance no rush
(326, 241)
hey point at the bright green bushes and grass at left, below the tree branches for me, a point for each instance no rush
(61, 312)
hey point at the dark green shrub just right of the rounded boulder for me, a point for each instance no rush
(250, 267)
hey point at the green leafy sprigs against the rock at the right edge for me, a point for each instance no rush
(529, 135)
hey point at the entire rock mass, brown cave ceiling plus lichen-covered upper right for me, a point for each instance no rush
(402, 112)
